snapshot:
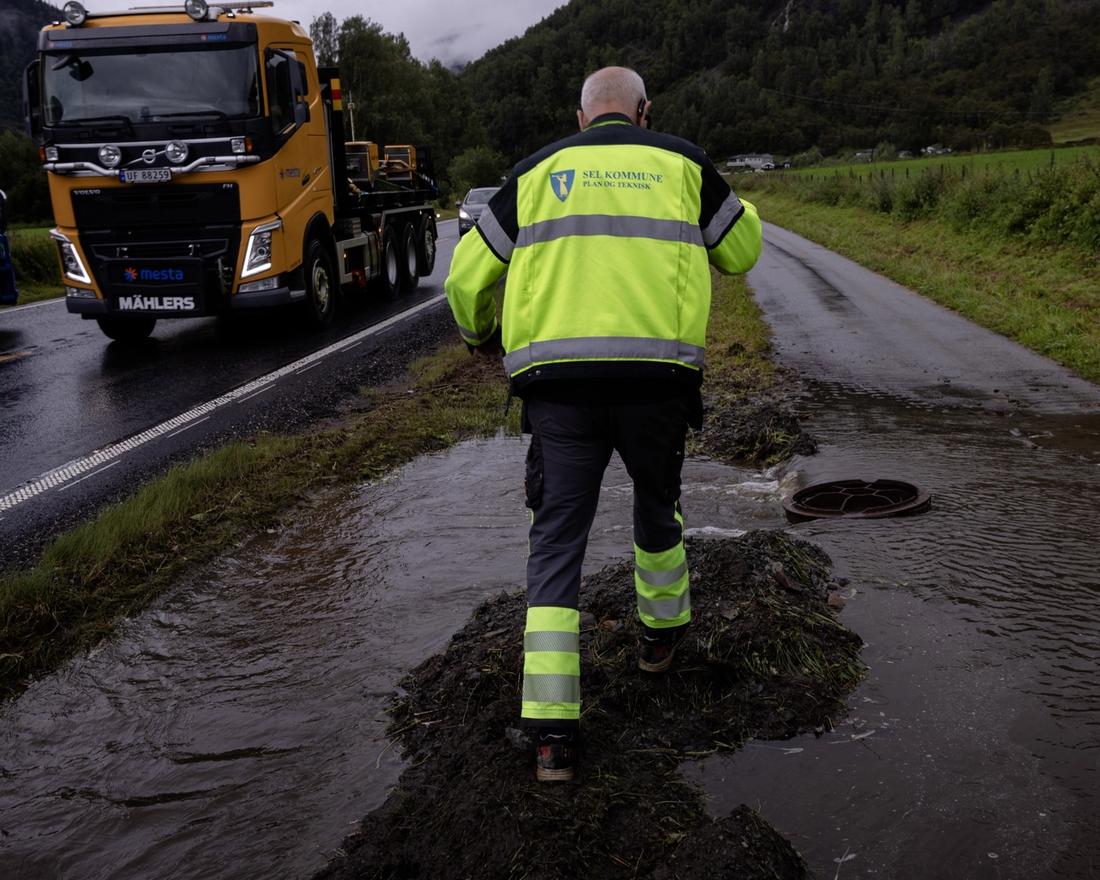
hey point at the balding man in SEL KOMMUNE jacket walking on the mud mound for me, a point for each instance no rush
(608, 238)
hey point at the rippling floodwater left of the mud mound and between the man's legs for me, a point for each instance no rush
(237, 729)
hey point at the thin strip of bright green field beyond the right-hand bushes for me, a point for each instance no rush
(958, 163)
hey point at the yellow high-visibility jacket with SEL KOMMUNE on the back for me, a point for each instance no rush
(608, 238)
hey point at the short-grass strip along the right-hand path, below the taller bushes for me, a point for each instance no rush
(1046, 299)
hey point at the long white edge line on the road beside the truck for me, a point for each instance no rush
(81, 468)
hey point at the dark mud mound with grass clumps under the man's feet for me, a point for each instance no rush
(765, 658)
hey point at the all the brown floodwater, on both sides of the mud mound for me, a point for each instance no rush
(237, 729)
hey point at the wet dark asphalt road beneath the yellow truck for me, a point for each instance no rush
(86, 420)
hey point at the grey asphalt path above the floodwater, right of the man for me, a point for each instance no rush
(834, 320)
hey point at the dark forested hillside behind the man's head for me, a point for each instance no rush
(790, 76)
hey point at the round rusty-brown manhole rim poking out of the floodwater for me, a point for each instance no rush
(856, 499)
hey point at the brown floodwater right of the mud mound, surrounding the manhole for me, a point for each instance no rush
(974, 749)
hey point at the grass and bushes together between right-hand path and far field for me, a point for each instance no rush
(1013, 252)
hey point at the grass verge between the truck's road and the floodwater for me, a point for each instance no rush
(113, 567)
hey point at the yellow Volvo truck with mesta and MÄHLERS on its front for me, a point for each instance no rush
(197, 167)
